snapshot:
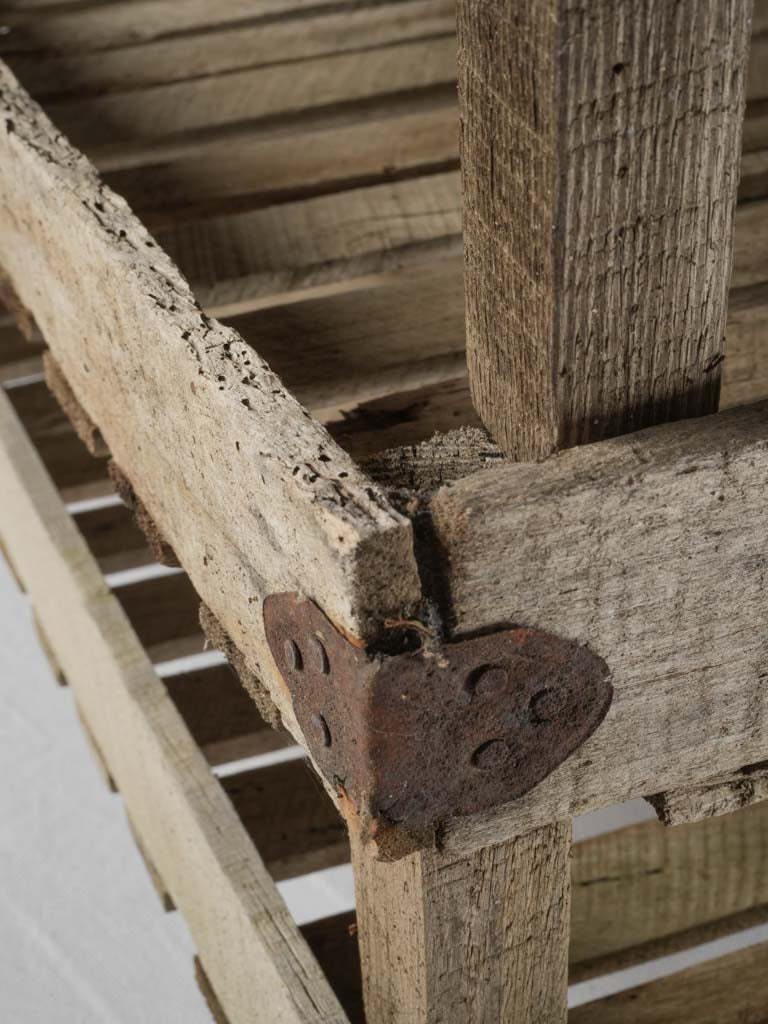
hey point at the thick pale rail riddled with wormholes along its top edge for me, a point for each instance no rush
(235, 474)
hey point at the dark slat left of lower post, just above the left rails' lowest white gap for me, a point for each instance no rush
(287, 814)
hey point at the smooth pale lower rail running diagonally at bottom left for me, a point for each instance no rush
(238, 921)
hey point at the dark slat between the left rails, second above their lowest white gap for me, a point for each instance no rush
(221, 715)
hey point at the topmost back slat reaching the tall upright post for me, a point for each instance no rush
(321, 33)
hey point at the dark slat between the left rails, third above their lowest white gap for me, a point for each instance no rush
(165, 614)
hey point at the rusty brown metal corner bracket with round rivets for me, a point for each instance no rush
(442, 731)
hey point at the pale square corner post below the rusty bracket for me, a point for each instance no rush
(482, 938)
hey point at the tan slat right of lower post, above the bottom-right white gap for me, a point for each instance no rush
(646, 891)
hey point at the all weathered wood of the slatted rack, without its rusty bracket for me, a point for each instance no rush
(300, 163)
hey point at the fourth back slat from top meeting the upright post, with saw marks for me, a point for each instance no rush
(327, 239)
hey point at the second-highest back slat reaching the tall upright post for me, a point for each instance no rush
(274, 93)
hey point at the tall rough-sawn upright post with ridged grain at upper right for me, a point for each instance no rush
(598, 307)
